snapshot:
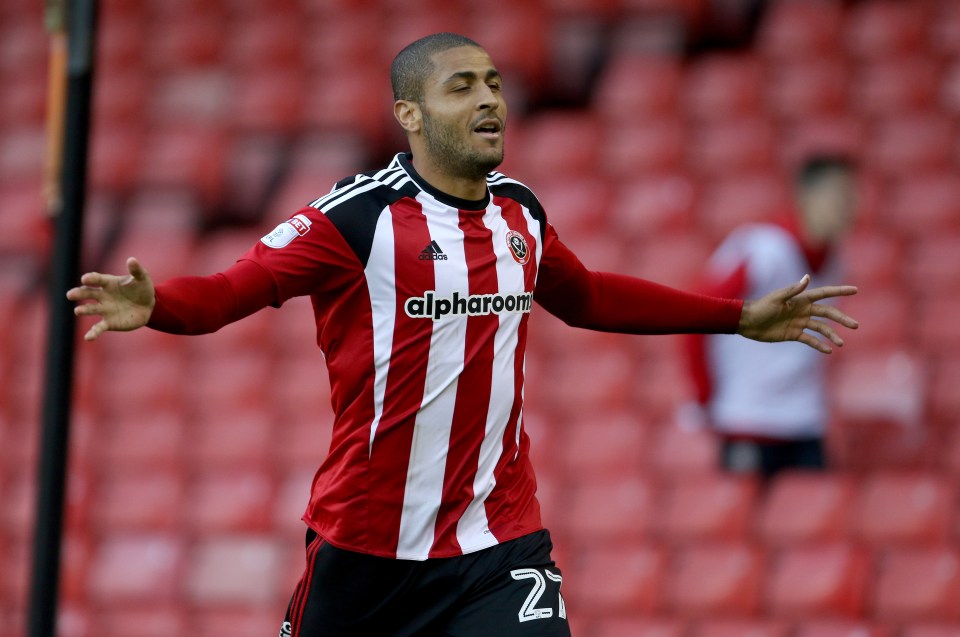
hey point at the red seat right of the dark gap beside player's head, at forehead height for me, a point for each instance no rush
(635, 88)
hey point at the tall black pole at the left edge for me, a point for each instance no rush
(64, 272)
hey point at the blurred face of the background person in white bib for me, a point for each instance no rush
(829, 204)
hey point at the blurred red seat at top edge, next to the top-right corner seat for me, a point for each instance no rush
(884, 30)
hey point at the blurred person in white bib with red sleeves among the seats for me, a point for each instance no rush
(769, 407)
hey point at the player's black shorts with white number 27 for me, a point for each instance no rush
(509, 590)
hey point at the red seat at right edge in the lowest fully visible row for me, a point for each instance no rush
(918, 585)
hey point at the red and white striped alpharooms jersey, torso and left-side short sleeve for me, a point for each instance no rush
(421, 303)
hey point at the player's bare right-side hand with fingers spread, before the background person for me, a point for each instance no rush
(787, 314)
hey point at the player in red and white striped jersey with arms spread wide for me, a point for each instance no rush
(423, 518)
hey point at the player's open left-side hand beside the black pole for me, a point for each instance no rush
(123, 303)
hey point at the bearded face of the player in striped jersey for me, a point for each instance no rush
(464, 113)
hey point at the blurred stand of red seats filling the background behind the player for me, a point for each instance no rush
(649, 129)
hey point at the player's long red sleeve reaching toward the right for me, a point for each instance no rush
(610, 302)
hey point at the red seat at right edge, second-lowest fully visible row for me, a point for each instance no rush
(904, 508)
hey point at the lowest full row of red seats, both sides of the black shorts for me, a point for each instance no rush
(704, 582)
